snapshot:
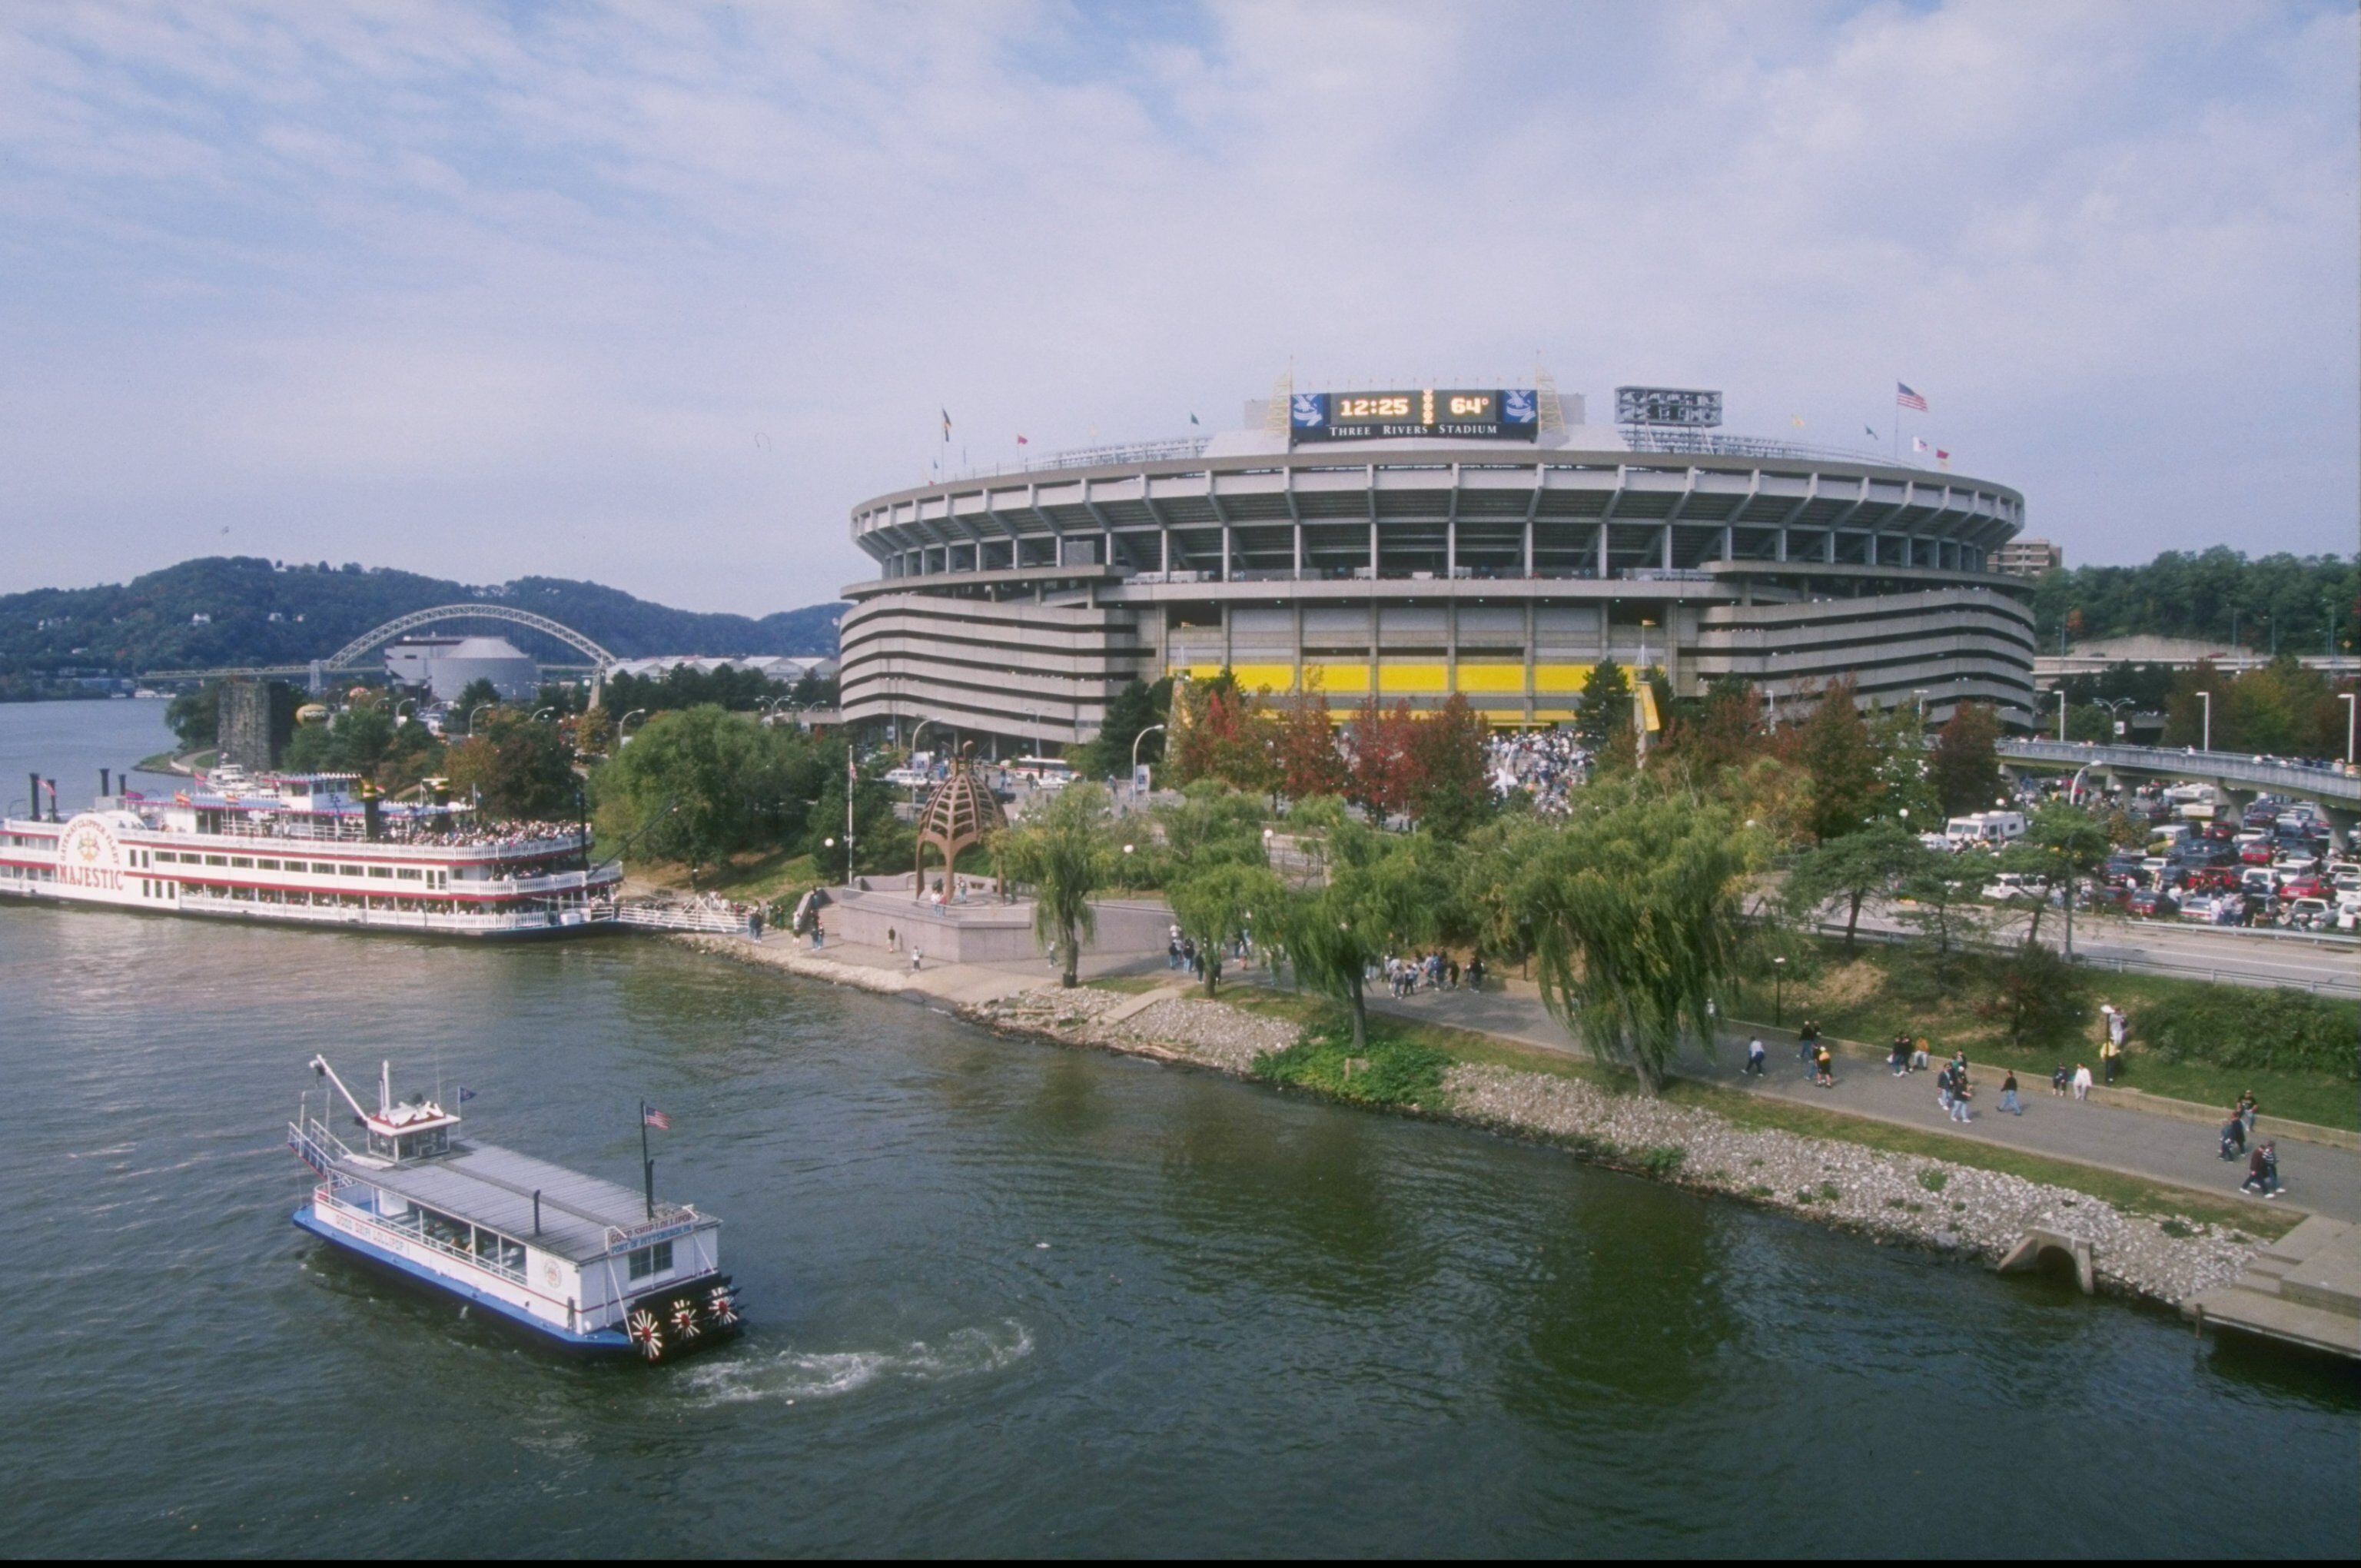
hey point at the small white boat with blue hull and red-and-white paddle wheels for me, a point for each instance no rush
(580, 1262)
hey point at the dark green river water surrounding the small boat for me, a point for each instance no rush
(1005, 1298)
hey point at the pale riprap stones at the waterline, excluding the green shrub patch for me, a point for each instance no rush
(1902, 1198)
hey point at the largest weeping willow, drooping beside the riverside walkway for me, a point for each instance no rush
(1635, 925)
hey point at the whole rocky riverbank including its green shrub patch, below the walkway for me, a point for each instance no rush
(1890, 1196)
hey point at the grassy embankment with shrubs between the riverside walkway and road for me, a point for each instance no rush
(1873, 995)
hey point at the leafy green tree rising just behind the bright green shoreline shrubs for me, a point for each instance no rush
(1382, 894)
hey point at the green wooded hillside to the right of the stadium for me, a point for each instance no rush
(2280, 601)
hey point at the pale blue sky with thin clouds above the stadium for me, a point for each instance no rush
(655, 294)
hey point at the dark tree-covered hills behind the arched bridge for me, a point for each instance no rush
(247, 610)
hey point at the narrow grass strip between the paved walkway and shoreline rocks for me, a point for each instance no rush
(2131, 1194)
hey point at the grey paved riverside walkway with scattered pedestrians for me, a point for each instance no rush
(2320, 1180)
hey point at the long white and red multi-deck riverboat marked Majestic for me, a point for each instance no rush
(313, 849)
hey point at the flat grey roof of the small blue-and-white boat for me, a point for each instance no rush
(495, 1189)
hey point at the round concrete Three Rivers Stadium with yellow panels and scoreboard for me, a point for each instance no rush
(1432, 542)
